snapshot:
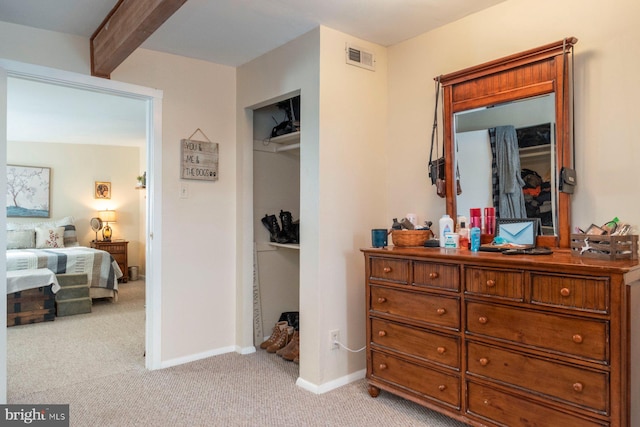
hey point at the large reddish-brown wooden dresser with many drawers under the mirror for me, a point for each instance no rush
(497, 340)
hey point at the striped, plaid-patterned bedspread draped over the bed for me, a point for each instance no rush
(101, 269)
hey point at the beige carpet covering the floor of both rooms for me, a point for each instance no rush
(94, 362)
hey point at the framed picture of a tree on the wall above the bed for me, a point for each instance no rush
(28, 191)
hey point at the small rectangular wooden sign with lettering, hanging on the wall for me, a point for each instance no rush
(199, 160)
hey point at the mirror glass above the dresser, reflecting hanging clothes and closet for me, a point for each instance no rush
(506, 159)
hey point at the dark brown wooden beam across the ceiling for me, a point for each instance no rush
(126, 27)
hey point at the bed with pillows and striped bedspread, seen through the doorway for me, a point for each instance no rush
(53, 245)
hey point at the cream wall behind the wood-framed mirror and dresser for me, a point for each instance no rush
(606, 83)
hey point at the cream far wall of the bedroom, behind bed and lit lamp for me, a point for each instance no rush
(74, 170)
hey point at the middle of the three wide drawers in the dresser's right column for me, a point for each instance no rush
(581, 387)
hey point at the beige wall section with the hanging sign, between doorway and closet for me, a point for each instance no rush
(198, 241)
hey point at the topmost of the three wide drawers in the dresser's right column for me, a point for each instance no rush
(574, 336)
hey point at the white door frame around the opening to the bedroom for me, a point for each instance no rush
(153, 217)
